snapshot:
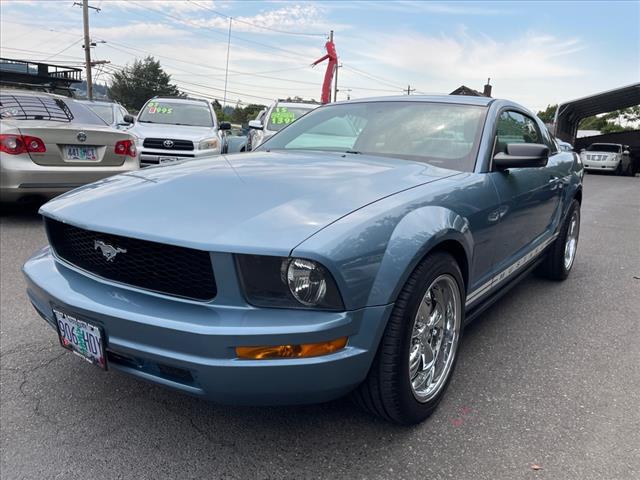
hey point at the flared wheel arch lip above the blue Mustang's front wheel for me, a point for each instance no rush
(416, 234)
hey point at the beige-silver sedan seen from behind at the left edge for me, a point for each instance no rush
(50, 144)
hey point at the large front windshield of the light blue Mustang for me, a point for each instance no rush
(442, 134)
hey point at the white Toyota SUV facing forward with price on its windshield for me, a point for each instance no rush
(170, 129)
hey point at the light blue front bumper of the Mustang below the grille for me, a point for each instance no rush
(191, 346)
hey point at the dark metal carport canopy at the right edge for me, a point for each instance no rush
(569, 114)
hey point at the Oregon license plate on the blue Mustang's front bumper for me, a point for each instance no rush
(81, 338)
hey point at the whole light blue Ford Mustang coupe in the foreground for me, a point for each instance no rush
(346, 254)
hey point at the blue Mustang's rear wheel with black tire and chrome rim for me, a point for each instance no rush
(560, 258)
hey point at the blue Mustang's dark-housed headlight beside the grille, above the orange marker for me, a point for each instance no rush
(288, 283)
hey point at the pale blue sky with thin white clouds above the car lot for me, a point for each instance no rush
(536, 53)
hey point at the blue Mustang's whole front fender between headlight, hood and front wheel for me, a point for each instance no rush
(399, 239)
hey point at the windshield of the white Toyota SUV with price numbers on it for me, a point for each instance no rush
(176, 113)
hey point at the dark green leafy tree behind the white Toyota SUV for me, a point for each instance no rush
(137, 83)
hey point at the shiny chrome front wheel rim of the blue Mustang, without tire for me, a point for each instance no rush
(434, 337)
